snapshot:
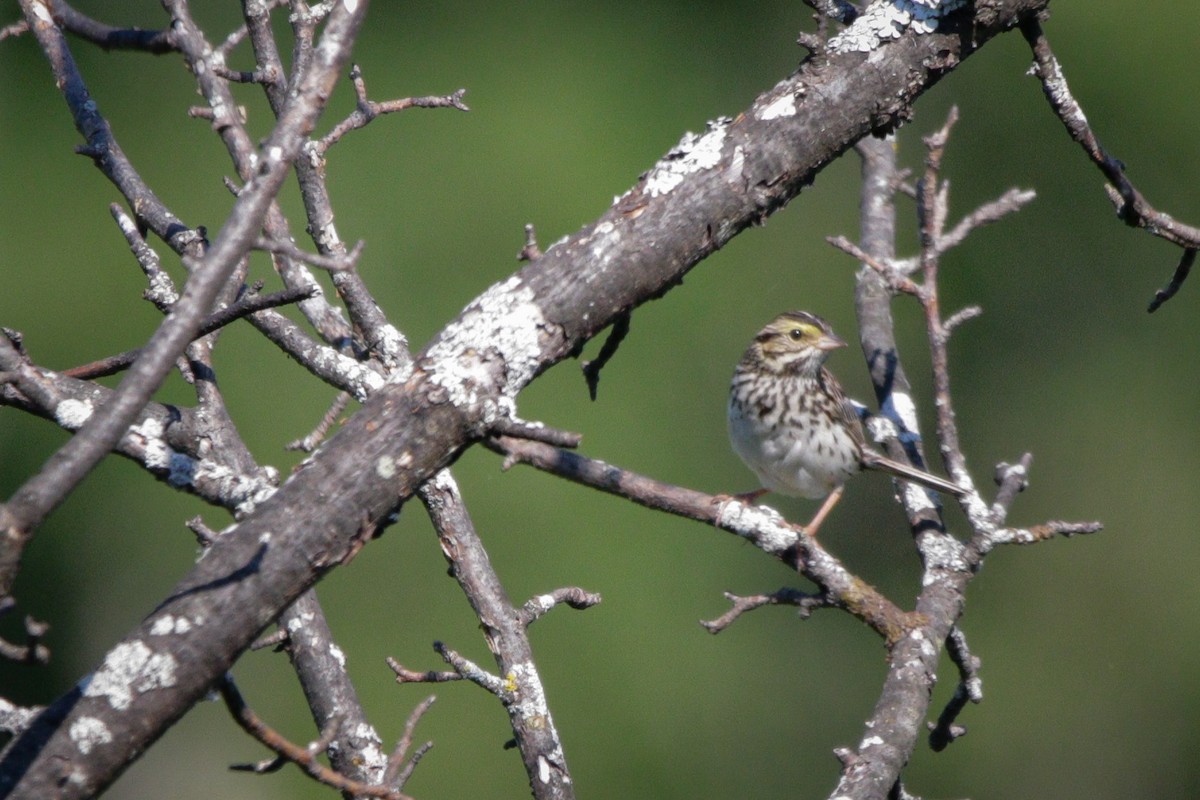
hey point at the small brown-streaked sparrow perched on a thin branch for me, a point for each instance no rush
(793, 425)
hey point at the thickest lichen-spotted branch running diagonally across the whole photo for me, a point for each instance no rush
(692, 203)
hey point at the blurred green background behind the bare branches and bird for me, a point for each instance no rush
(1089, 646)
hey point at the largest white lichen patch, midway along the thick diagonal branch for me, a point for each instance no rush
(506, 323)
